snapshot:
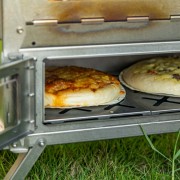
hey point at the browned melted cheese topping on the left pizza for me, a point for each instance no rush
(74, 78)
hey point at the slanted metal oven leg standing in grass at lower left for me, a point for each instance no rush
(25, 162)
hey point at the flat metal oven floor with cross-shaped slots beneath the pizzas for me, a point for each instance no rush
(135, 104)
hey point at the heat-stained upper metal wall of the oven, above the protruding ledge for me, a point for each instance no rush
(57, 23)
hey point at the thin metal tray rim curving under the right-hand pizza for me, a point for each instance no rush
(134, 89)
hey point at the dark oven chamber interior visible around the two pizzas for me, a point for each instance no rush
(135, 104)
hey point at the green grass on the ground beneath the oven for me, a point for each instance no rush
(126, 159)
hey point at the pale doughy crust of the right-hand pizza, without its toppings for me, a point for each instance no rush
(147, 83)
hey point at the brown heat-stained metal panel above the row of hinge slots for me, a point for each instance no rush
(109, 10)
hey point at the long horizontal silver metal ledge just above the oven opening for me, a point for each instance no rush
(103, 50)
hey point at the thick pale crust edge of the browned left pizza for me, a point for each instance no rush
(83, 97)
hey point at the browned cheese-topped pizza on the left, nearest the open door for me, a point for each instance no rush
(72, 86)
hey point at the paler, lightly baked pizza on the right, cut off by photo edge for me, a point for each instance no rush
(159, 75)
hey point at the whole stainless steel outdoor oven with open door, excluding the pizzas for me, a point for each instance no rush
(107, 35)
